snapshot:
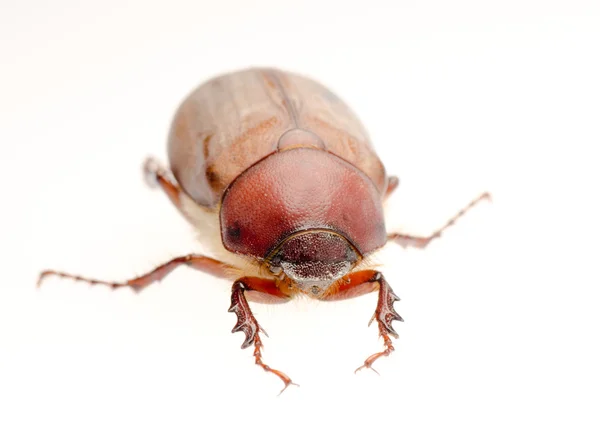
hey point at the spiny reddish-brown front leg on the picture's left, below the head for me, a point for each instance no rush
(247, 322)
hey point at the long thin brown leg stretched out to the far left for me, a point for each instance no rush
(202, 263)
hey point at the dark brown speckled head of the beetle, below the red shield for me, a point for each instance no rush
(314, 259)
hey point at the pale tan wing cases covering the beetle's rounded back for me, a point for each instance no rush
(233, 121)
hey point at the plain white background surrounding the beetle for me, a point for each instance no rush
(459, 97)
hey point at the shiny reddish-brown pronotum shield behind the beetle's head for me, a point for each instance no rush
(300, 189)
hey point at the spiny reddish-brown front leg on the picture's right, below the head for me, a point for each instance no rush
(363, 282)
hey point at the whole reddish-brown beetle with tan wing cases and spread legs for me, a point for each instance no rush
(285, 189)
